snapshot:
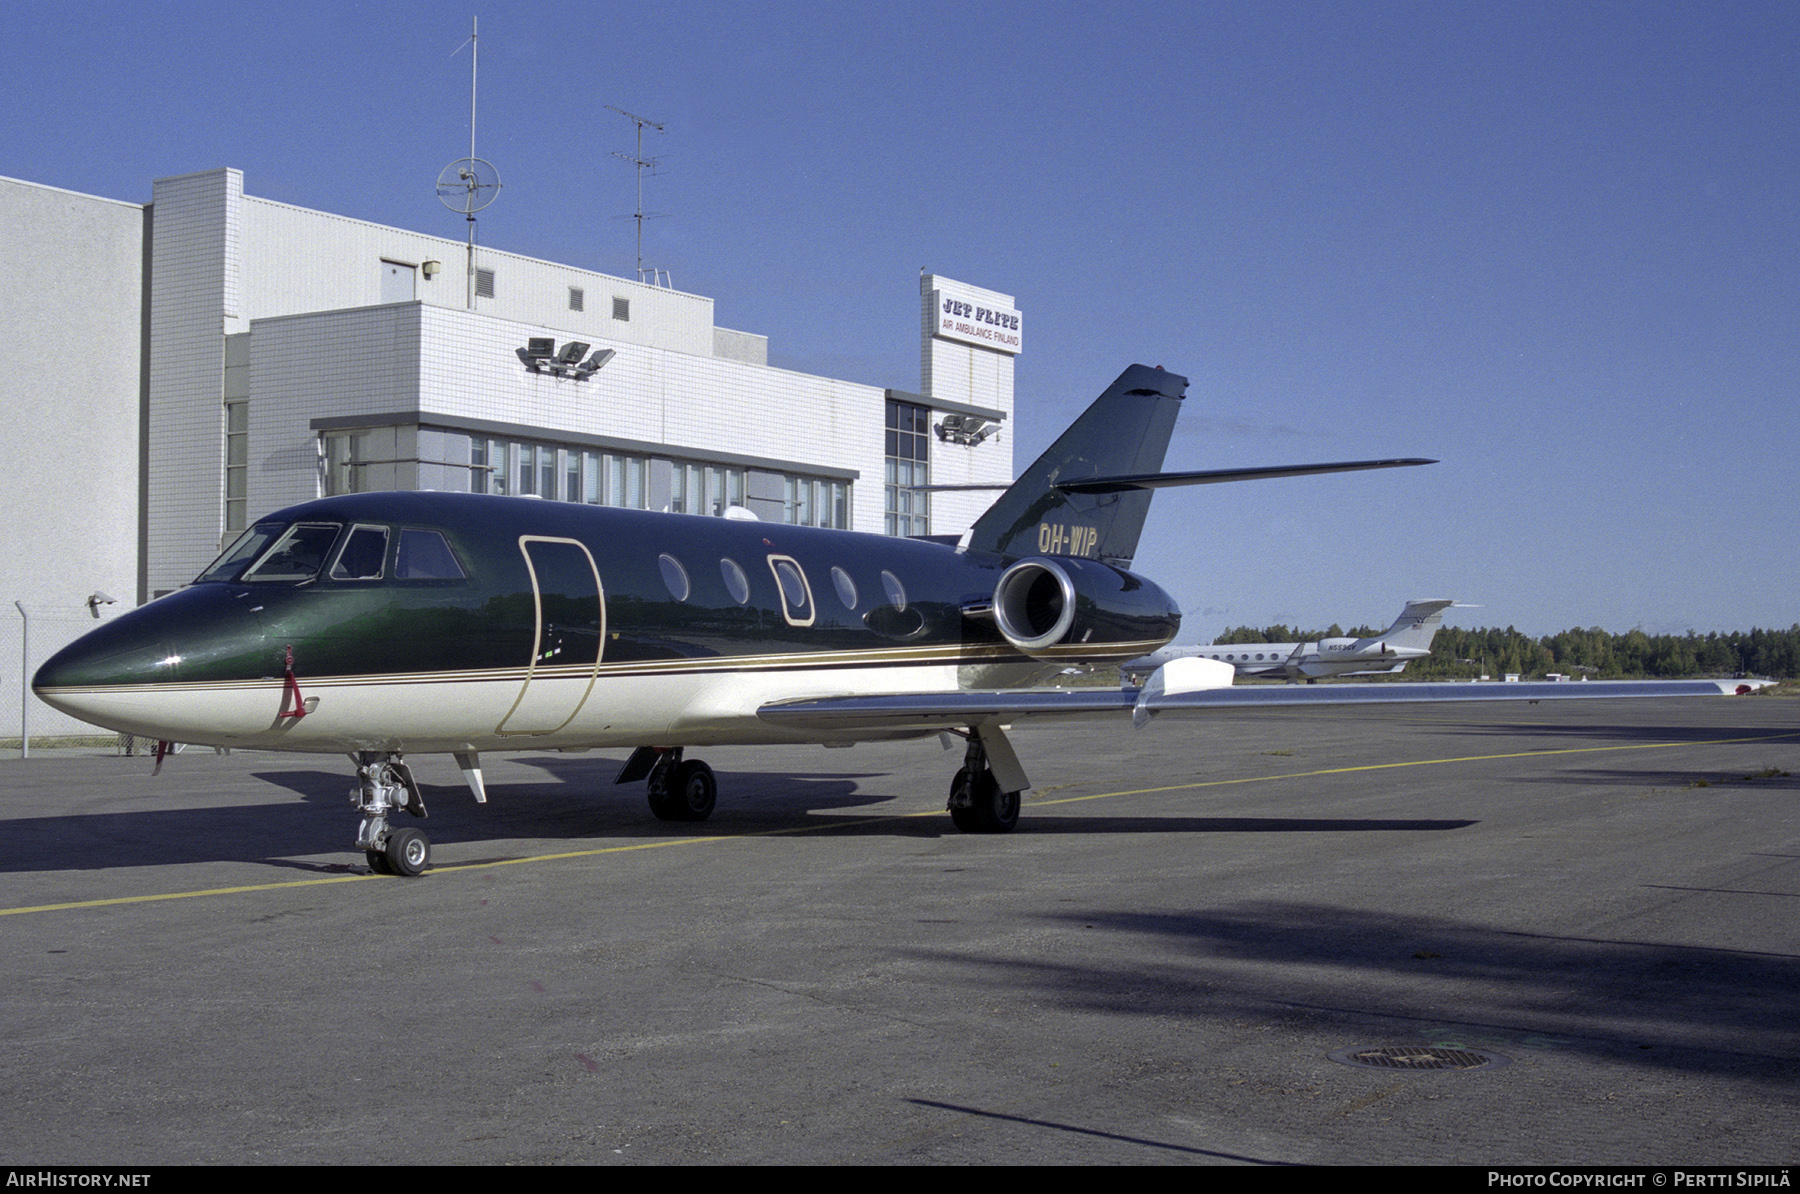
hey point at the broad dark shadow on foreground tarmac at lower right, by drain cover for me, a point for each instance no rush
(1416, 979)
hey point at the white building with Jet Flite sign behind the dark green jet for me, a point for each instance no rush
(172, 372)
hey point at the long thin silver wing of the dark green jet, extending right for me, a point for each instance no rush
(942, 710)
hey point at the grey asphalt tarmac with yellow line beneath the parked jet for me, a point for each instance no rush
(1588, 914)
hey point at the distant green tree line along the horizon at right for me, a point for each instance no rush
(1466, 655)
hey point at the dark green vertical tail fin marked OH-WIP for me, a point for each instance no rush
(1124, 433)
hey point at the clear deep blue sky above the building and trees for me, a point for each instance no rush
(1554, 246)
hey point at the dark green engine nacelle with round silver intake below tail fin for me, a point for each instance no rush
(1041, 604)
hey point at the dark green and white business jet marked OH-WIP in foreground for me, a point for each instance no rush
(406, 622)
